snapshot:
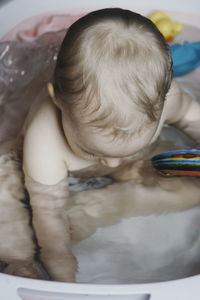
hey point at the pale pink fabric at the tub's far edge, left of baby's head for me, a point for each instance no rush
(31, 28)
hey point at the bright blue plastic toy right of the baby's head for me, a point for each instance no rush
(185, 57)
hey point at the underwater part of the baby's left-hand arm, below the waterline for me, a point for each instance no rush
(48, 204)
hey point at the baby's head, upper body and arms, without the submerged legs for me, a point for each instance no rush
(111, 93)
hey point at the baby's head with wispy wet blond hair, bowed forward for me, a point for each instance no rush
(112, 75)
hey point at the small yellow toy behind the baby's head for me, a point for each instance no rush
(167, 27)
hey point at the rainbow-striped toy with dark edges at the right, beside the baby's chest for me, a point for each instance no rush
(178, 162)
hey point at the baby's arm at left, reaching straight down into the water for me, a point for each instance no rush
(47, 184)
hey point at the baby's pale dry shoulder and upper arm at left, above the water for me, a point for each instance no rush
(44, 145)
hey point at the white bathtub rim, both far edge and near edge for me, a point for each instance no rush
(15, 288)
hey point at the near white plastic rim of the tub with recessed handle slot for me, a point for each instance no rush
(15, 288)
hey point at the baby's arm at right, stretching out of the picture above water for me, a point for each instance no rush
(183, 112)
